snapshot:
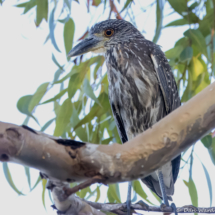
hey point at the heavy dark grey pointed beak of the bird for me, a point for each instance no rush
(86, 45)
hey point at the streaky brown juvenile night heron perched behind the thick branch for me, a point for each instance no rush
(142, 89)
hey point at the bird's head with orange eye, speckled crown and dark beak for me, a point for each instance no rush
(104, 34)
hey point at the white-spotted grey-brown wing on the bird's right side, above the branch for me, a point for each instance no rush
(166, 80)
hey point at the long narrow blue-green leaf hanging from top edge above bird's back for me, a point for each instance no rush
(159, 19)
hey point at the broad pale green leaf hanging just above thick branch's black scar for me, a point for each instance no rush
(63, 117)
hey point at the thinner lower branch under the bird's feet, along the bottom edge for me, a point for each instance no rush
(74, 205)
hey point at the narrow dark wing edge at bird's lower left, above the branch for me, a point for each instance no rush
(119, 121)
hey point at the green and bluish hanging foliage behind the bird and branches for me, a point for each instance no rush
(81, 107)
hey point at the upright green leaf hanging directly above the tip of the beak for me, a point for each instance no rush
(69, 29)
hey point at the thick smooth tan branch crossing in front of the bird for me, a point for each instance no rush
(70, 160)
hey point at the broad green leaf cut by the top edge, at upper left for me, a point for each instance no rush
(42, 11)
